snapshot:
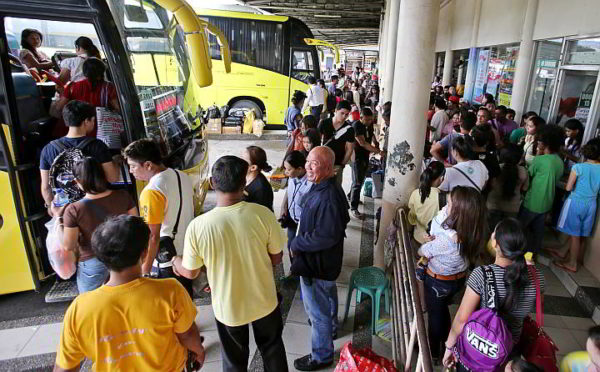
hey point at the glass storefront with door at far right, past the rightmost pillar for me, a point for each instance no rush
(565, 82)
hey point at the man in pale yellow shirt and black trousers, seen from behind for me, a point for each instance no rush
(239, 243)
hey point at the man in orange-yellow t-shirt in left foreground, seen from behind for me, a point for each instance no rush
(130, 323)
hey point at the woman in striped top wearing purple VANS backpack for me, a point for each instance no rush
(498, 297)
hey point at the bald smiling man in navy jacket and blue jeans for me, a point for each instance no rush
(317, 252)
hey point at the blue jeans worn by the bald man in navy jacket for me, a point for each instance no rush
(321, 305)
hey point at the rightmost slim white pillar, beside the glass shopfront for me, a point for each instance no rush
(524, 60)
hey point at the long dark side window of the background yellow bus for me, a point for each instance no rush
(252, 42)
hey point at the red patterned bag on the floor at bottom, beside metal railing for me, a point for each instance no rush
(362, 360)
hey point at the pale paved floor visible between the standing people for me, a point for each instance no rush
(30, 328)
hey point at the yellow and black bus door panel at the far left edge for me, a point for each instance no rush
(19, 220)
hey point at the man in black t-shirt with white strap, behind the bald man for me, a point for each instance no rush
(338, 135)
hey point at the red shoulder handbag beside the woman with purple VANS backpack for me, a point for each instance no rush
(535, 344)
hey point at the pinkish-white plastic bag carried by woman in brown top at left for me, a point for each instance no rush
(62, 261)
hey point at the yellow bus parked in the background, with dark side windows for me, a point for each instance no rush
(270, 60)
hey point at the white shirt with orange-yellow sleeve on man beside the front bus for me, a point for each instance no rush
(159, 204)
